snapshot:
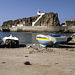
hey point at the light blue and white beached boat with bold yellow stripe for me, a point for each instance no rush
(47, 41)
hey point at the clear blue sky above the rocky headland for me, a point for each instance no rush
(15, 9)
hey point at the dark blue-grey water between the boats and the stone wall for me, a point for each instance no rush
(28, 37)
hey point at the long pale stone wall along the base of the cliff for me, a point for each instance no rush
(65, 29)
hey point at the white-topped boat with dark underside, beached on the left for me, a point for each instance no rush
(11, 41)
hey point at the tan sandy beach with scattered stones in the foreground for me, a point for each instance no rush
(44, 61)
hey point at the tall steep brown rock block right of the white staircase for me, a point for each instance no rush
(49, 19)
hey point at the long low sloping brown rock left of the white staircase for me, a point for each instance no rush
(23, 21)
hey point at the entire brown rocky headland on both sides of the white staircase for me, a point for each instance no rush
(49, 19)
